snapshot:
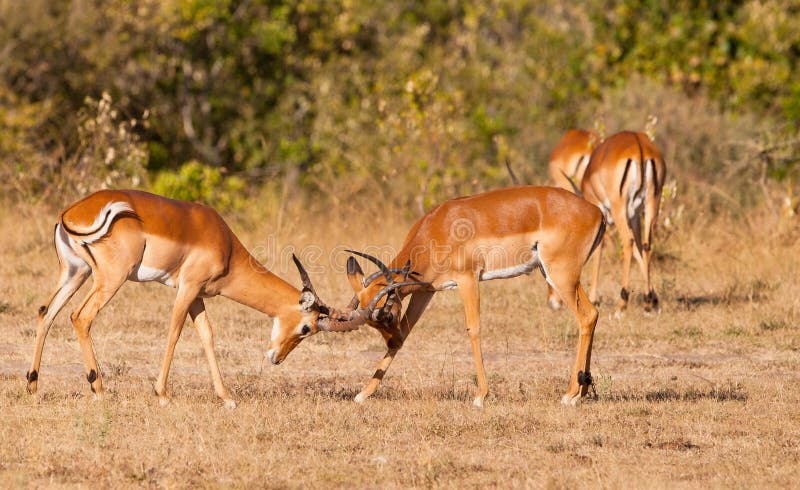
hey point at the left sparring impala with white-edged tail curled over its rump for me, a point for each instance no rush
(132, 235)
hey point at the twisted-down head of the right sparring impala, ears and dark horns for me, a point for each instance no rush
(382, 292)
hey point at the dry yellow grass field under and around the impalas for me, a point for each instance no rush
(702, 395)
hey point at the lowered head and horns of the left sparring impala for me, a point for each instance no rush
(309, 316)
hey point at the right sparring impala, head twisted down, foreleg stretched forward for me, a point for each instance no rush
(499, 234)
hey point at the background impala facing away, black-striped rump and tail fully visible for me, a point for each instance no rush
(624, 178)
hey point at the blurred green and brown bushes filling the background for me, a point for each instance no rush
(403, 101)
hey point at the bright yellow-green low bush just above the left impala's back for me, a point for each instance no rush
(194, 181)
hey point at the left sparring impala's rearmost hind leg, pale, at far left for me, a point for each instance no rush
(72, 278)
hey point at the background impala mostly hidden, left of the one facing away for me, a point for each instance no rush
(570, 157)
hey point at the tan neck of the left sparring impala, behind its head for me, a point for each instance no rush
(251, 284)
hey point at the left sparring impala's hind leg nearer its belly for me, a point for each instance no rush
(102, 291)
